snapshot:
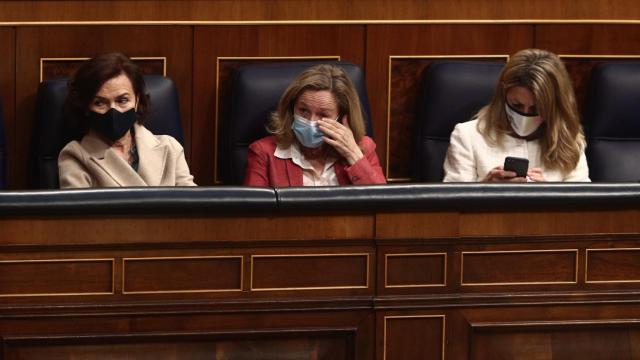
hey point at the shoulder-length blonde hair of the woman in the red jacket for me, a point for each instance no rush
(327, 77)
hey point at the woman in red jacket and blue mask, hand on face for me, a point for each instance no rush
(317, 136)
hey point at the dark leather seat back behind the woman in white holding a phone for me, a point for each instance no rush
(451, 92)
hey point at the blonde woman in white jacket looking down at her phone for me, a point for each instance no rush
(532, 115)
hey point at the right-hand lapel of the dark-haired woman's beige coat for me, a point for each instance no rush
(153, 156)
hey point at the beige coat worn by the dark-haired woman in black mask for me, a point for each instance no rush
(93, 163)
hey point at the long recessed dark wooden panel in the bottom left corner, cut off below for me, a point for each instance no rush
(266, 345)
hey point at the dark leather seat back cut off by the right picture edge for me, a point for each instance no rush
(612, 126)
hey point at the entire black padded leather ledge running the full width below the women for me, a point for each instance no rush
(244, 201)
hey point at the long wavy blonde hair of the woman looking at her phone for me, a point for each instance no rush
(544, 74)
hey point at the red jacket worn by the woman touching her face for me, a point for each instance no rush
(264, 169)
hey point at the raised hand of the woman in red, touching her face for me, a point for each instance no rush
(339, 135)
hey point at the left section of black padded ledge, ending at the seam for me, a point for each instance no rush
(149, 200)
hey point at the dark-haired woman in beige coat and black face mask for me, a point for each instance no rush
(107, 105)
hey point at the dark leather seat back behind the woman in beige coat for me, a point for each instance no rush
(51, 134)
